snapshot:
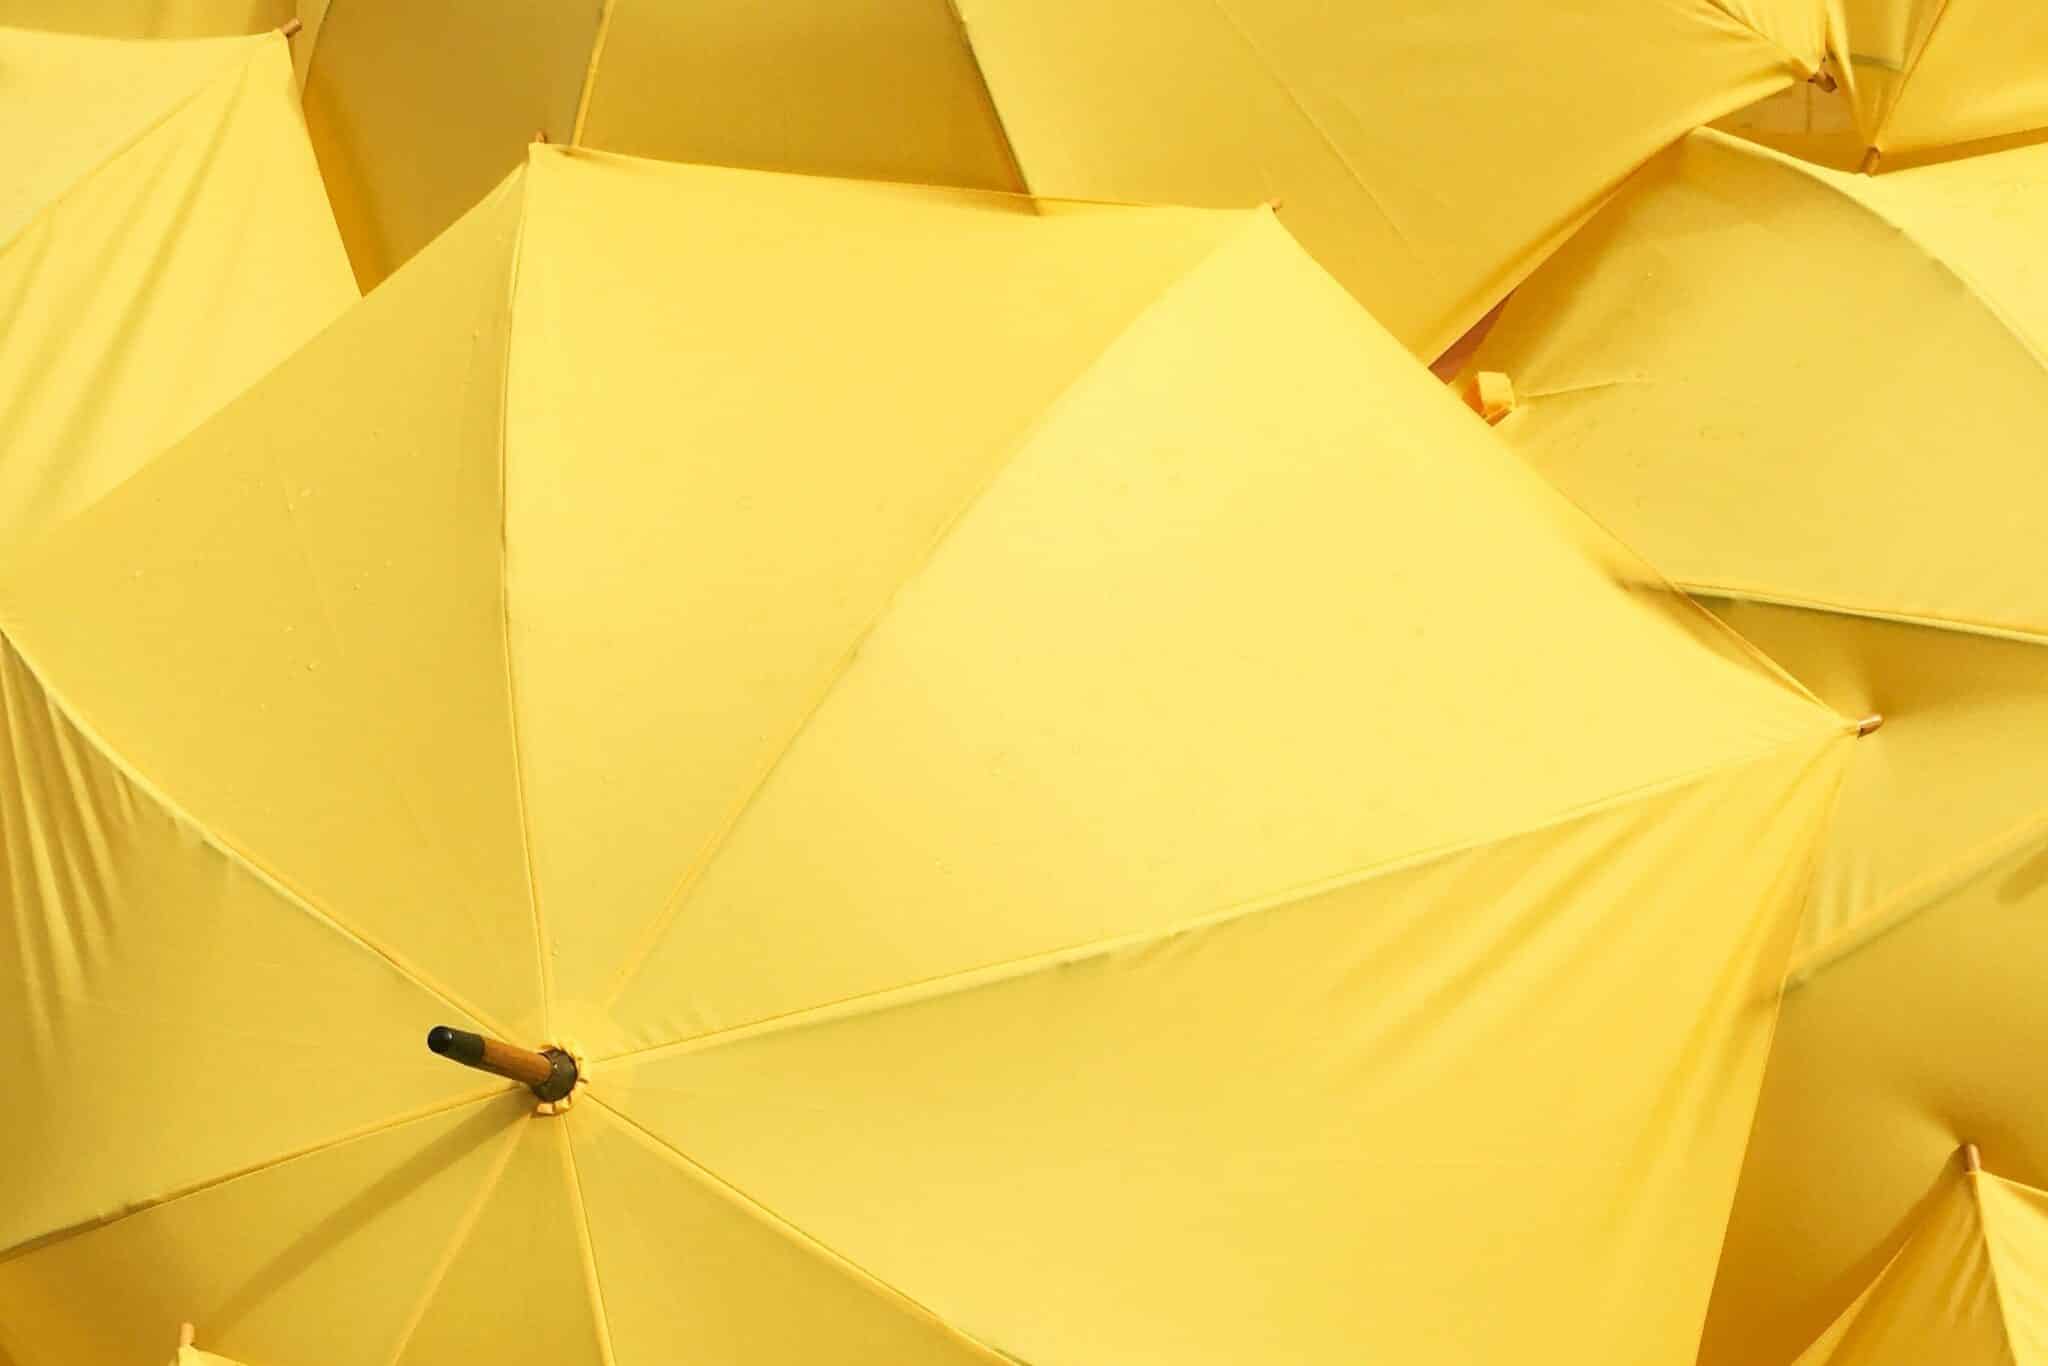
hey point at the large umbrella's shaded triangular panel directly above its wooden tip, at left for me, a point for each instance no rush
(249, 622)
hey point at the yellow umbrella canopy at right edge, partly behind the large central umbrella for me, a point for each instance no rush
(1820, 400)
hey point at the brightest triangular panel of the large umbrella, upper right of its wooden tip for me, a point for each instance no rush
(1066, 728)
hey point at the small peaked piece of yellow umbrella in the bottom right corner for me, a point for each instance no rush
(1969, 1285)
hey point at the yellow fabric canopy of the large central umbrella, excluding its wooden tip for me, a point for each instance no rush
(1002, 734)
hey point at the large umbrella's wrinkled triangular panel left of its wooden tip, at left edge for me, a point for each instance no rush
(159, 984)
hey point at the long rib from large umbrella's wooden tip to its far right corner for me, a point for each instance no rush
(1009, 970)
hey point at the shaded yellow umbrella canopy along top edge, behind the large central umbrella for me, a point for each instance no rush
(1424, 157)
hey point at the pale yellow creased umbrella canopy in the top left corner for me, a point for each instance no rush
(165, 241)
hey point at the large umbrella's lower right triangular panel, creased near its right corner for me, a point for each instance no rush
(1320, 1121)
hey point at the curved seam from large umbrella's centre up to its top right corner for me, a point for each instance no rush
(695, 871)
